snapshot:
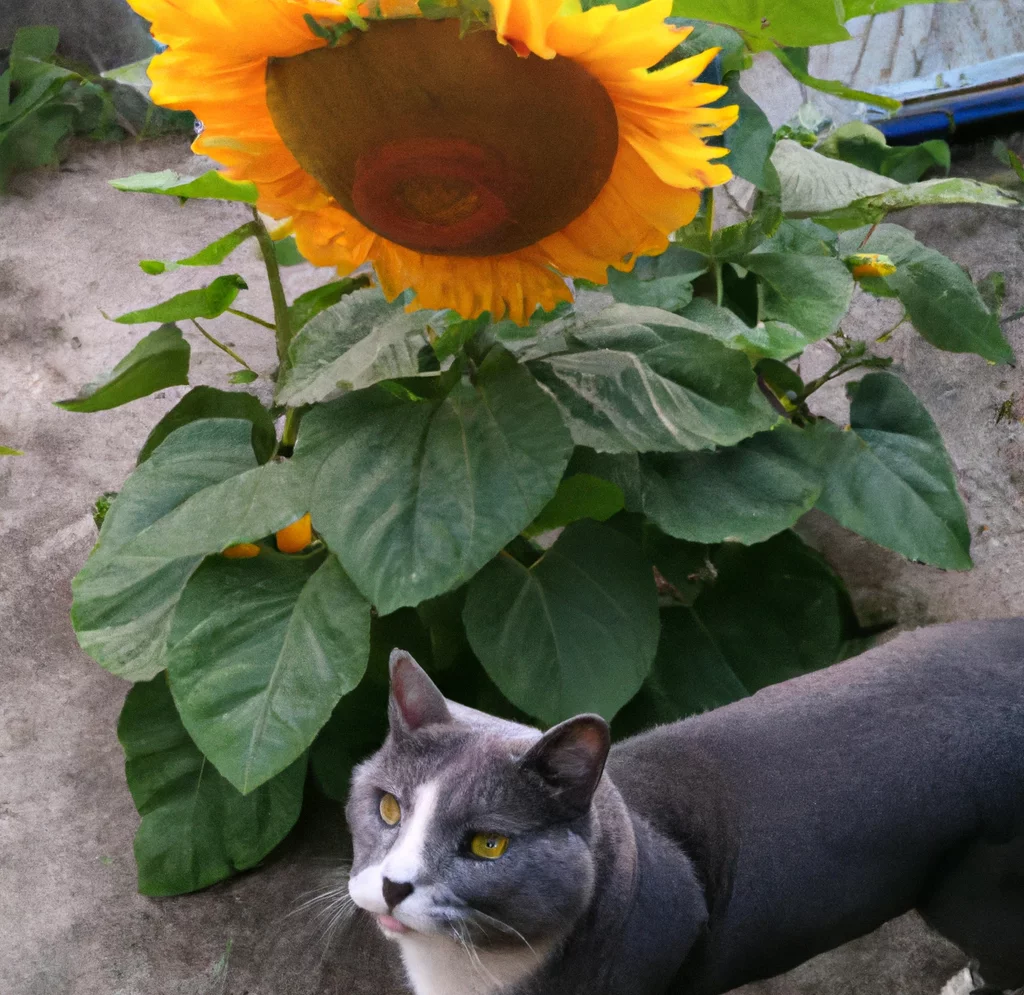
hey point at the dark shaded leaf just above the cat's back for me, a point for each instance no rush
(770, 613)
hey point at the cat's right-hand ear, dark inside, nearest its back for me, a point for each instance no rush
(571, 758)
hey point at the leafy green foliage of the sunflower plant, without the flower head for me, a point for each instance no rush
(667, 434)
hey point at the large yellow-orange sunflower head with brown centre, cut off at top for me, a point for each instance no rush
(479, 160)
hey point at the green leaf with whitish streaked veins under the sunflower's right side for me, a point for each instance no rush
(641, 379)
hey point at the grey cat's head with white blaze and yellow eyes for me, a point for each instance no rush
(466, 827)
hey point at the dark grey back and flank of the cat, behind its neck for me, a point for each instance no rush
(854, 781)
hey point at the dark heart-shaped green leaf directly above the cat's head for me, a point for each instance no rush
(590, 608)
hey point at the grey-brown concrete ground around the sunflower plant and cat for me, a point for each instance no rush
(71, 923)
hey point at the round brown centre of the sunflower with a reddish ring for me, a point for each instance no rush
(447, 146)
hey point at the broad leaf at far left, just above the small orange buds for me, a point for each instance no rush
(126, 594)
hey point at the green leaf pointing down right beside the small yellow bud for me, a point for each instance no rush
(945, 307)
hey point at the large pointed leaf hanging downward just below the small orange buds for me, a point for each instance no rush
(261, 653)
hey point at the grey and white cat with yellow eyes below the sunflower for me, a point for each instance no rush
(712, 852)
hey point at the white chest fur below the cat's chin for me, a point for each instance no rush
(438, 967)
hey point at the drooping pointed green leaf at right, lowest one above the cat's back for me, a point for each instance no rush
(891, 480)
